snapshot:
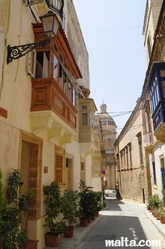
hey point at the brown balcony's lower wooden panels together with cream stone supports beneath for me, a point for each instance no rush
(51, 109)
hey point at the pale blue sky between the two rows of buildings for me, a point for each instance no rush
(115, 44)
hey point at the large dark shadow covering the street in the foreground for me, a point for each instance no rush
(116, 229)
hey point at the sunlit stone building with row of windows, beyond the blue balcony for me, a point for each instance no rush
(130, 156)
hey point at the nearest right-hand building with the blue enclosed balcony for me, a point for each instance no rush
(153, 32)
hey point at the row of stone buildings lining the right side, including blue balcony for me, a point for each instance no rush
(140, 146)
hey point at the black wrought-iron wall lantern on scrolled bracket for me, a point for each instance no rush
(50, 24)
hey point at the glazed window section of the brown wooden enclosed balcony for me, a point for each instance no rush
(40, 65)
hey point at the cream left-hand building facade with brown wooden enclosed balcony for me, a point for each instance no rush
(40, 95)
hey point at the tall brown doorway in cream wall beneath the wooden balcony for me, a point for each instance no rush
(30, 172)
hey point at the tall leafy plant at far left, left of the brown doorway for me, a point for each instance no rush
(12, 213)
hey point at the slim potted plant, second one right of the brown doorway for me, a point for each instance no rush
(70, 210)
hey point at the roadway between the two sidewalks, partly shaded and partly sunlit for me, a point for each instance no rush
(120, 220)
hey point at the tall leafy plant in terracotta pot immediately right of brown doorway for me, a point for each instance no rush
(55, 224)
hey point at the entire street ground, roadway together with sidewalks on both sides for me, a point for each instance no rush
(120, 219)
